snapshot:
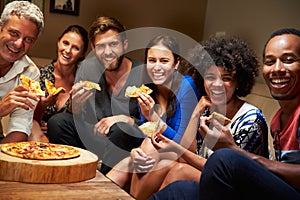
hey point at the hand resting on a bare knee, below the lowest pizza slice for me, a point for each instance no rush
(142, 162)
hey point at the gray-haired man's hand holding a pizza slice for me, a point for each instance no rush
(19, 97)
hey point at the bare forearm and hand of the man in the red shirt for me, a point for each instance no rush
(222, 138)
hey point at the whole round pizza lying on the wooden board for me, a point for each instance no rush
(40, 150)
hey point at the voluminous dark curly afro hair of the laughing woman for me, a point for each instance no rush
(233, 54)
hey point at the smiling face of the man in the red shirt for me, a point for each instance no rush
(281, 68)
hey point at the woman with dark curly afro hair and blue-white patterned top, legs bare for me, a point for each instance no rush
(229, 68)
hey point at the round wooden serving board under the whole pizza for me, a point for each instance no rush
(48, 171)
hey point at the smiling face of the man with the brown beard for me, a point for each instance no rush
(110, 49)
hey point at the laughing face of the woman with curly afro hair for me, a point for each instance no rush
(220, 85)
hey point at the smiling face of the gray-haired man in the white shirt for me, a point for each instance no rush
(16, 38)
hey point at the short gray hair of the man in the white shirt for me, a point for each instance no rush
(23, 9)
